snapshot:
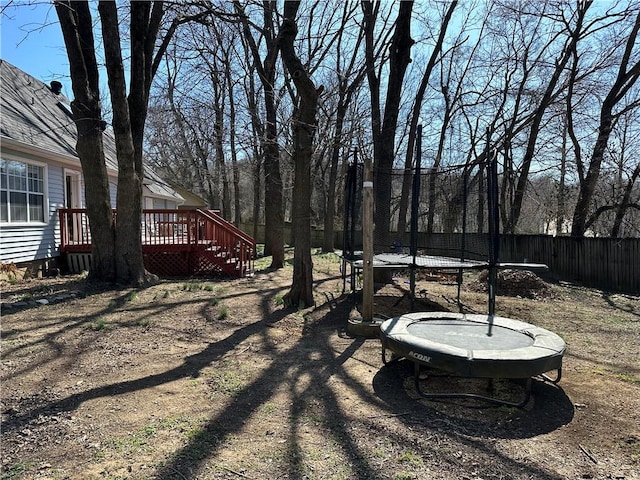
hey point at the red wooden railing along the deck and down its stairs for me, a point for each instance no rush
(165, 230)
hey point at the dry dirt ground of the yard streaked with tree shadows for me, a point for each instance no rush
(217, 379)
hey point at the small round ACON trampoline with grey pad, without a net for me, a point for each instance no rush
(474, 346)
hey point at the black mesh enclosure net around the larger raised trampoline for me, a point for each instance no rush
(449, 217)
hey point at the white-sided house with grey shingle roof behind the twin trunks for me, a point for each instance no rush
(40, 171)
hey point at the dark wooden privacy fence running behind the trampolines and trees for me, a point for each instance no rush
(606, 263)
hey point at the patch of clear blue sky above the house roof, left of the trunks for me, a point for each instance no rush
(30, 39)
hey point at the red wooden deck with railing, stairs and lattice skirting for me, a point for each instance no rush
(174, 242)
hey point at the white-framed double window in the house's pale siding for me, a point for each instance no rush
(21, 192)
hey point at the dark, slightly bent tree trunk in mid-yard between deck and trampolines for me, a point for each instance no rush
(304, 126)
